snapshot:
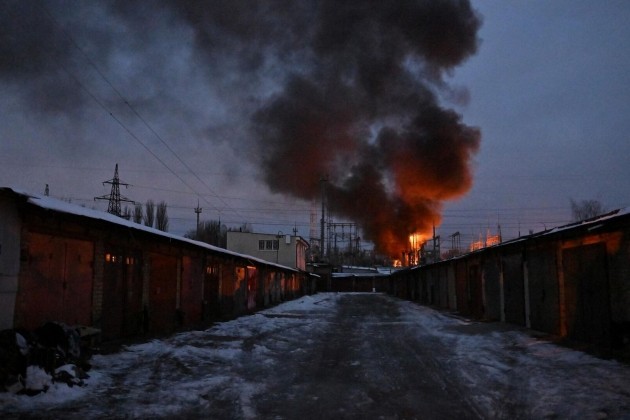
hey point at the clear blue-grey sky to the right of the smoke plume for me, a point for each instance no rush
(550, 89)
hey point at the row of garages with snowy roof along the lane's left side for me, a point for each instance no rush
(65, 263)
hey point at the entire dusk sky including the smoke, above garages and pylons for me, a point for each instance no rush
(244, 108)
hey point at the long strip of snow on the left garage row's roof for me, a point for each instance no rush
(53, 204)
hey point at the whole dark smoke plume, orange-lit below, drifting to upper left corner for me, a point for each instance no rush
(347, 90)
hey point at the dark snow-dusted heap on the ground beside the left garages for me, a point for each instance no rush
(31, 361)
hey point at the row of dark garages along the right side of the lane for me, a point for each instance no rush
(572, 281)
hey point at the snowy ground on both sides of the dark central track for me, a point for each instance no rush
(225, 369)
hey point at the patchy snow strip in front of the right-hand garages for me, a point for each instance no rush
(537, 378)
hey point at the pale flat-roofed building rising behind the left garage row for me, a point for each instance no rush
(283, 249)
